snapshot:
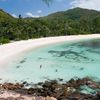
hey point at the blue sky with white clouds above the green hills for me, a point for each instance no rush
(37, 8)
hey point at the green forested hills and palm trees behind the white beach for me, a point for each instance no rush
(71, 22)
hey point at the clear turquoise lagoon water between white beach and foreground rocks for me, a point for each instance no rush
(64, 60)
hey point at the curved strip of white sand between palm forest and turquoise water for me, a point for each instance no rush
(11, 50)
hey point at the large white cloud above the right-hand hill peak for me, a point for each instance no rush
(89, 4)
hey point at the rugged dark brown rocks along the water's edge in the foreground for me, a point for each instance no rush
(61, 91)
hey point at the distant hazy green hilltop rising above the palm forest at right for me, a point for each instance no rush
(74, 14)
